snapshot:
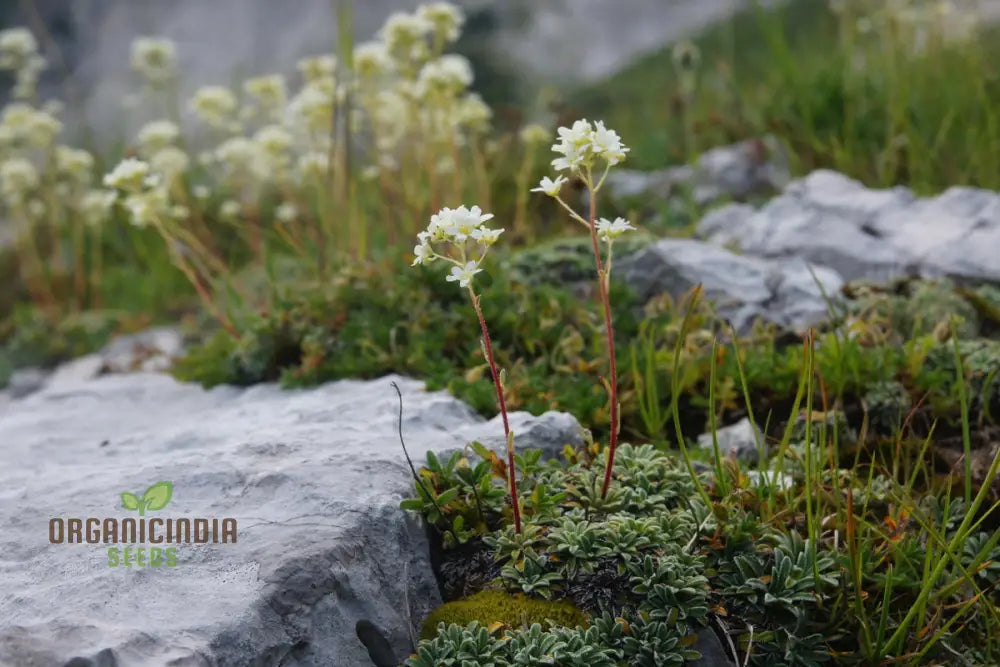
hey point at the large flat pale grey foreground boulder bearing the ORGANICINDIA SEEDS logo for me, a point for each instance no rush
(313, 479)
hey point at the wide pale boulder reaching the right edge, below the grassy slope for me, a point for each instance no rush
(869, 234)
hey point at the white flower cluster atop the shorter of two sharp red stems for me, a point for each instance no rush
(462, 231)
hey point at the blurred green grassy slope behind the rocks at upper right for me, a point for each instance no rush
(890, 93)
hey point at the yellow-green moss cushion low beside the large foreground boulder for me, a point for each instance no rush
(494, 606)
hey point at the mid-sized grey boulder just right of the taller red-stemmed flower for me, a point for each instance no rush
(742, 288)
